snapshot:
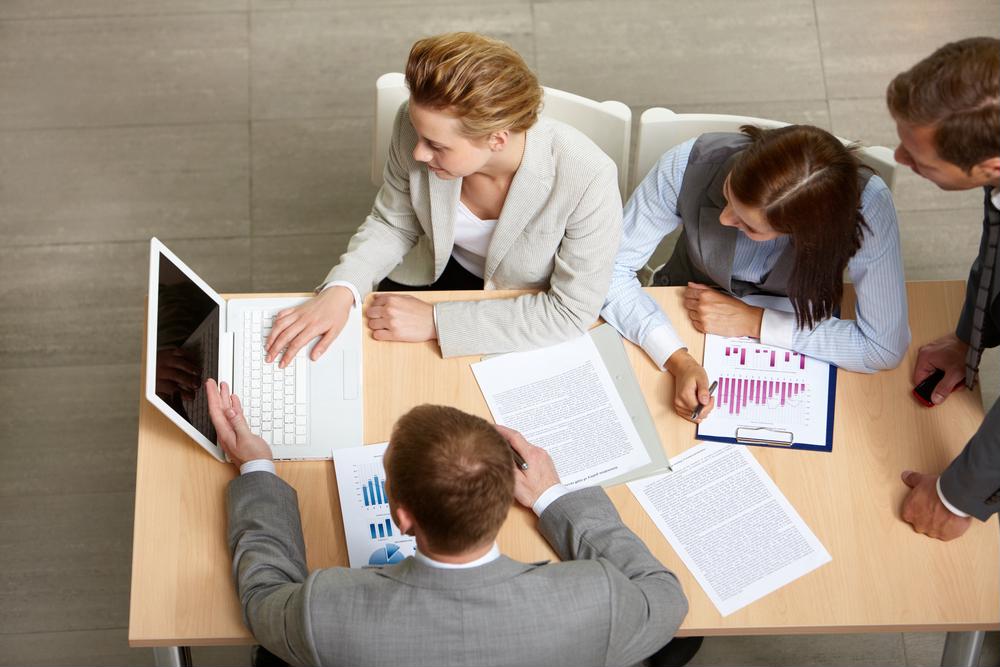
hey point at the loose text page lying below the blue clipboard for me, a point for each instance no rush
(730, 524)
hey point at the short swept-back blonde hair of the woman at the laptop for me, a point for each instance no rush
(482, 81)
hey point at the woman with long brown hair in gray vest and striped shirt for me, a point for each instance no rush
(779, 212)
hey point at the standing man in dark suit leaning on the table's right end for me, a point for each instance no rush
(947, 113)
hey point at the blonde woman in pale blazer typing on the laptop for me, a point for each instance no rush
(479, 193)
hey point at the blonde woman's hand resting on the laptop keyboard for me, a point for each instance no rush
(322, 316)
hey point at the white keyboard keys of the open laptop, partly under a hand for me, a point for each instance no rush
(275, 399)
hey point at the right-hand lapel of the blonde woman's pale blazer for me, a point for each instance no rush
(527, 194)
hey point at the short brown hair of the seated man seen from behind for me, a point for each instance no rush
(453, 472)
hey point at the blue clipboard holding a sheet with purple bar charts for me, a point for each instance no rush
(767, 395)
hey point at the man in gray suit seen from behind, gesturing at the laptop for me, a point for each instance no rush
(450, 479)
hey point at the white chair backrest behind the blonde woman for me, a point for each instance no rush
(608, 124)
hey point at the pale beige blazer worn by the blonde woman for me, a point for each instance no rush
(558, 232)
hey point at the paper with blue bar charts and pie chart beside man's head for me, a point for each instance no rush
(372, 537)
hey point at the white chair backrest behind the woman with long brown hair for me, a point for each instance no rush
(661, 129)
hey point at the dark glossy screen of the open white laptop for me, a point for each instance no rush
(187, 346)
